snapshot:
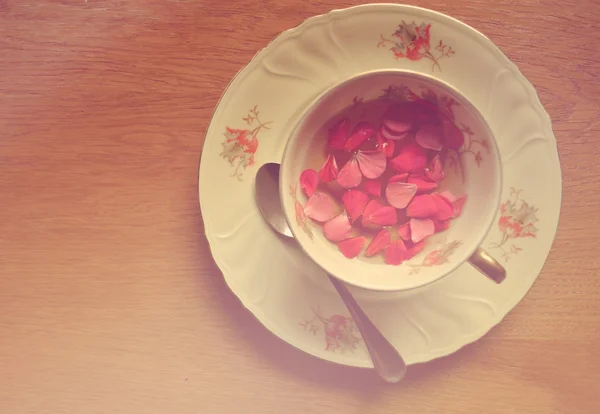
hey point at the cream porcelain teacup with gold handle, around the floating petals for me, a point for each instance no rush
(473, 170)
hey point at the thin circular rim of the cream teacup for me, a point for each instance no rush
(475, 111)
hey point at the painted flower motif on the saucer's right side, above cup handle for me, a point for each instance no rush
(517, 220)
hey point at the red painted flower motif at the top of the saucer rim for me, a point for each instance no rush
(413, 42)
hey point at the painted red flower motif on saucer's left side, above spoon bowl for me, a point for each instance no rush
(240, 145)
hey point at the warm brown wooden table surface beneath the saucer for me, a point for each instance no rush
(109, 299)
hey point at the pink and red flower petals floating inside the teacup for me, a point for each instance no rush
(379, 186)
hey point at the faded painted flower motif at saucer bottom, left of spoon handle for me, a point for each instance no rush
(341, 334)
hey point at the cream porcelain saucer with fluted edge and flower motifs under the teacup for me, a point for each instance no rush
(274, 280)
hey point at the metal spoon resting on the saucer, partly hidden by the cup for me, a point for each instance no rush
(387, 361)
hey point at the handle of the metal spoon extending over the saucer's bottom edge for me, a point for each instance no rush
(387, 361)
